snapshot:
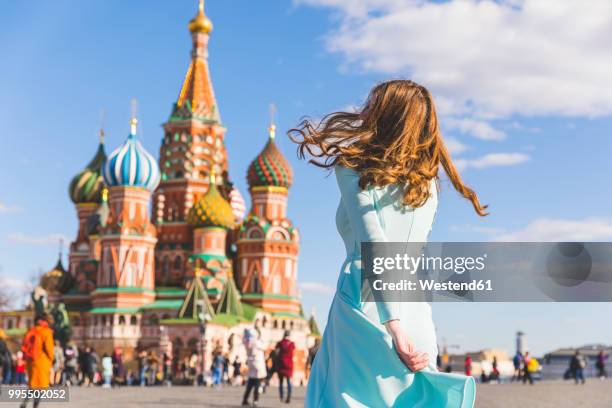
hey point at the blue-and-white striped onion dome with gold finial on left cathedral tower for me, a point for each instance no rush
(131, 165)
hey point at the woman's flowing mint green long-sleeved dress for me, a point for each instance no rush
(356, 365)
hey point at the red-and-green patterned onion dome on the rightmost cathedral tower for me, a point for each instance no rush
(270, 168)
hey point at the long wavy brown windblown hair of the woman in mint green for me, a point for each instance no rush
(395, 139)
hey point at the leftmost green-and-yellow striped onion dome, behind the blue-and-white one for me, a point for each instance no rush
(86, 187)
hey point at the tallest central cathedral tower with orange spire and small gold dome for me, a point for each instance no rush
(193, 146)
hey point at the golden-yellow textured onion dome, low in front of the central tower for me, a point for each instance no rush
(211, 210)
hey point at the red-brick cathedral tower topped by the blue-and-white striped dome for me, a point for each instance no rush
(126, 276)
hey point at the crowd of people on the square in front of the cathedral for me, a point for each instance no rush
(41, 362)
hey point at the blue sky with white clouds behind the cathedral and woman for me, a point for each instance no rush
(523, 101)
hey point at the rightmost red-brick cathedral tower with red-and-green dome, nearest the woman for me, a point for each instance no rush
(268, 244)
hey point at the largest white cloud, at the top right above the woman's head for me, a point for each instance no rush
(485, 58)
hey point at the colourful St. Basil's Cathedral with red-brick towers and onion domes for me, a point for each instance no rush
(195, 270)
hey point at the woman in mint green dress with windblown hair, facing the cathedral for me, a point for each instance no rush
(386, 160)
